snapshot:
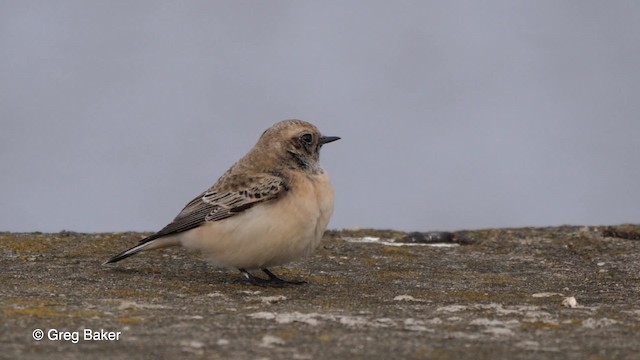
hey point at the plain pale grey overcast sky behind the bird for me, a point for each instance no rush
(453, 114)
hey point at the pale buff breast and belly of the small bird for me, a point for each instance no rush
(271, 233)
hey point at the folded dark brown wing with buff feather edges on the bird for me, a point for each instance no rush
(213, 205)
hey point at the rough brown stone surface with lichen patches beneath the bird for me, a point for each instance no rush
(487, 294)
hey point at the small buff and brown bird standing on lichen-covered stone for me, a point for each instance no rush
(269, 208)
